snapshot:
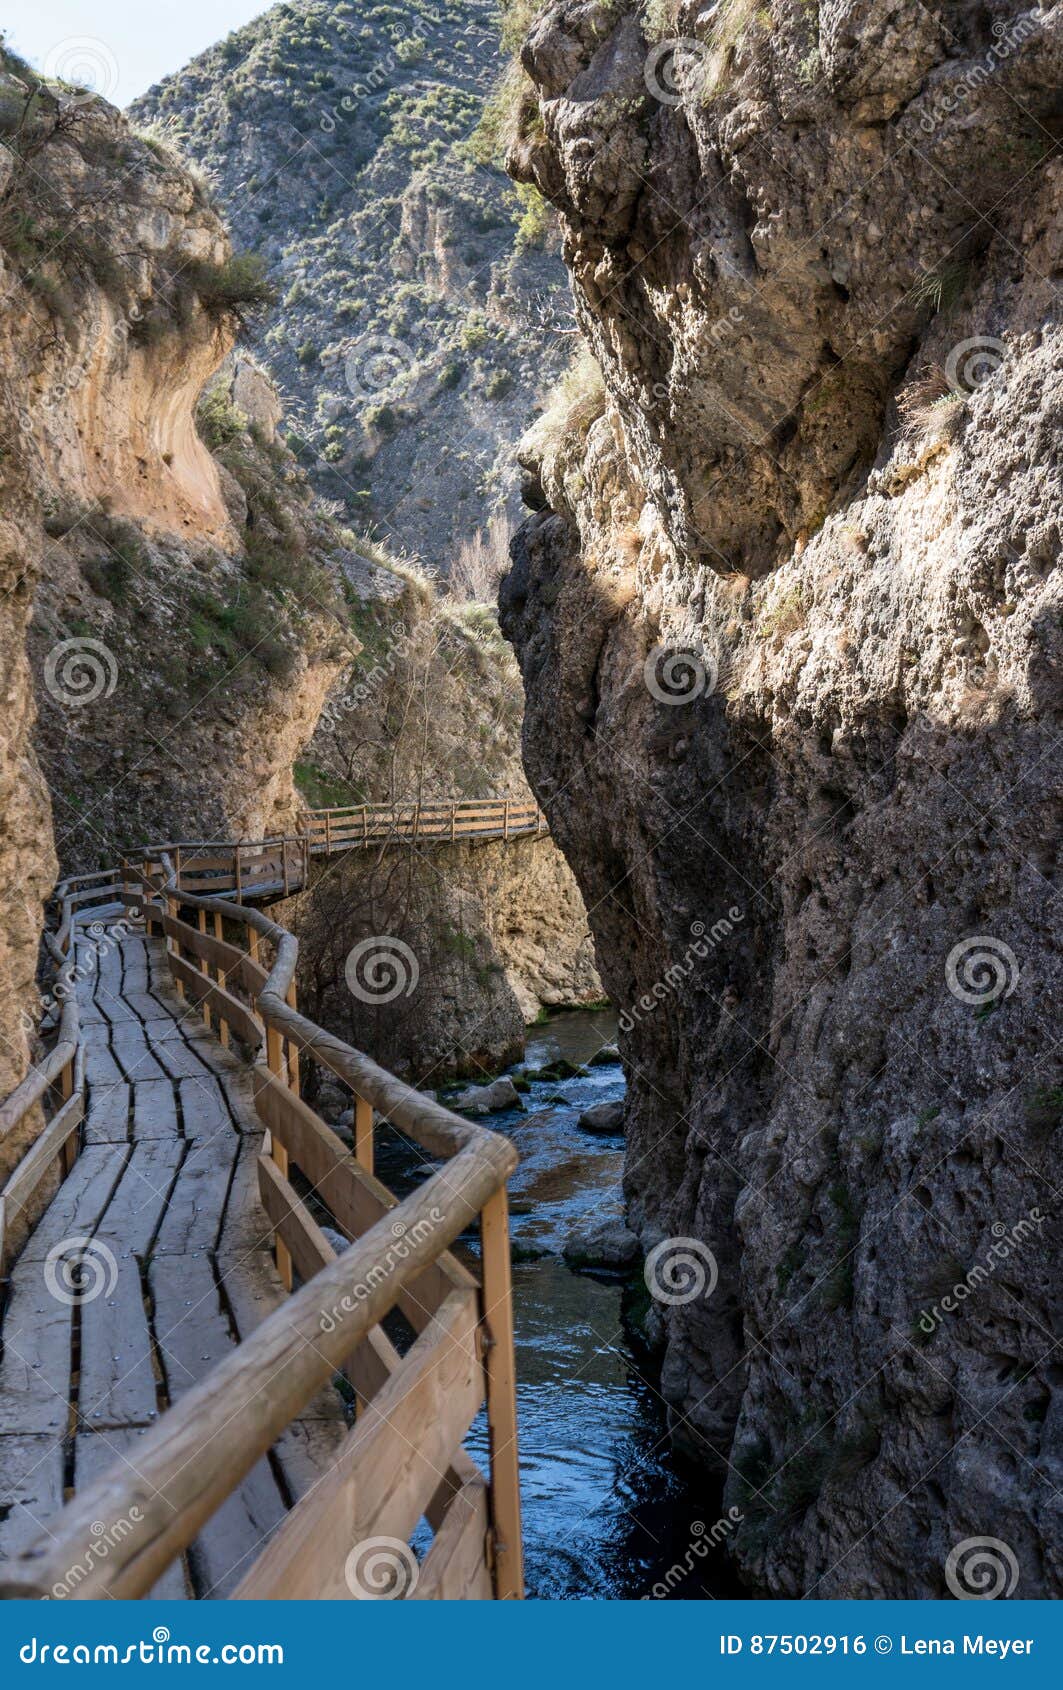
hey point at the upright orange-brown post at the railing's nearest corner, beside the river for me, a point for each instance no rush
(503, 1400)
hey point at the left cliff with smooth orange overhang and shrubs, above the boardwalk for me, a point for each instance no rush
(188, 614)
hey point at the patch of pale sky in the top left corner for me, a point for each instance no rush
(119, 46)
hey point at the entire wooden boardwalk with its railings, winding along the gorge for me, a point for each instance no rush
(199, 1395)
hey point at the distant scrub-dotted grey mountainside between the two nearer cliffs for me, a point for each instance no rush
(344, 150)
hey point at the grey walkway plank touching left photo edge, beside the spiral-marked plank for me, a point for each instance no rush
(36, 1368)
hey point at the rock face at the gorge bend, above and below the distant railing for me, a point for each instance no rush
(482, 937)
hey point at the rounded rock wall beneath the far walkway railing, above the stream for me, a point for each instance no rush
(435, 961)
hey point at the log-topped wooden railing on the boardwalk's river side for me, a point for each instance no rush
(403, 1459)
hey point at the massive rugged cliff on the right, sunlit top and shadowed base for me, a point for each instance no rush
(788, 616)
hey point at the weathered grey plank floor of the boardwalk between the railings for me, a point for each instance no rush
(148, 1268)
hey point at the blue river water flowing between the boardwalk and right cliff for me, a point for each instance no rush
(608, 1508)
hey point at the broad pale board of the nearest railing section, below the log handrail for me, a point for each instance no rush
(390, 1469)
